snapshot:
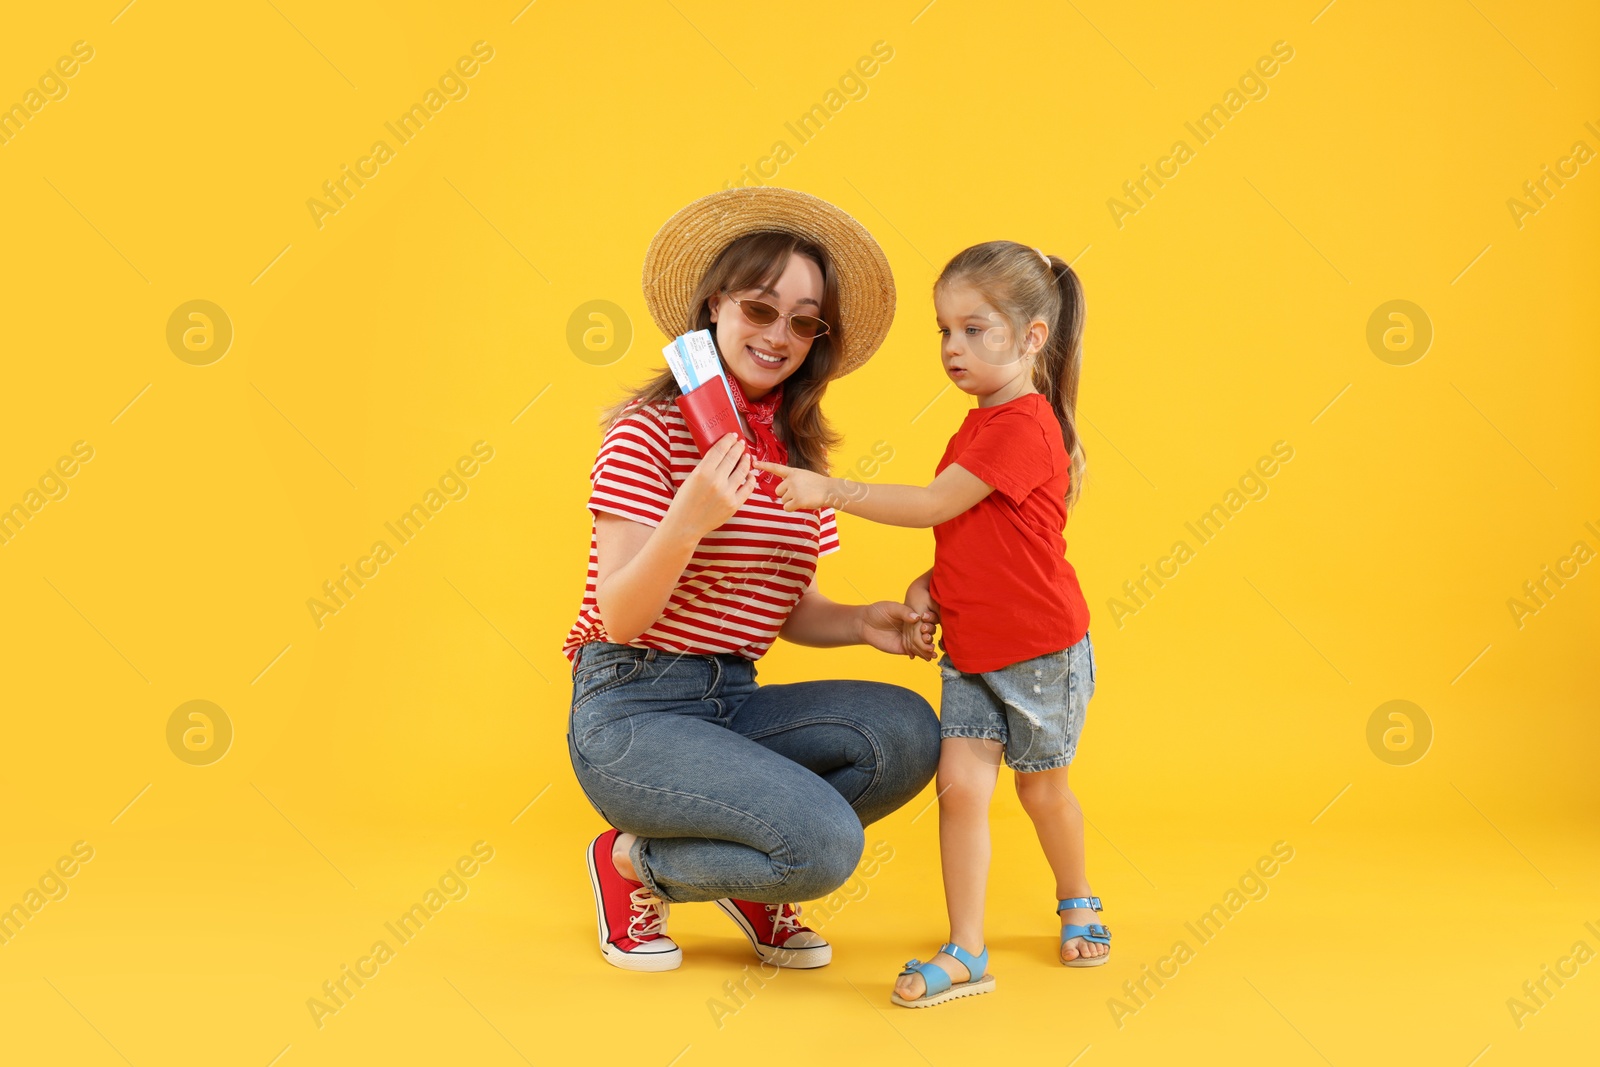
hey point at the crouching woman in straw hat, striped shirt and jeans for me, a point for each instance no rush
(719, 789)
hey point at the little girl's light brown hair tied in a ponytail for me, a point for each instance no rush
(1017, 281)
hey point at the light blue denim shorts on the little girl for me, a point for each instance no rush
(1034, 708)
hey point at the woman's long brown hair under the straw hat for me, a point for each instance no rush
(750, 263)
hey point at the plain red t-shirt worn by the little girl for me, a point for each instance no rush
(1001, 573)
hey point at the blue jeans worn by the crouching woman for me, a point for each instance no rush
(734, 789)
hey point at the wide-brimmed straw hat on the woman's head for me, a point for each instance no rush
(686, 247)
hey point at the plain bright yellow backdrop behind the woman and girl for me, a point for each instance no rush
(433, 310)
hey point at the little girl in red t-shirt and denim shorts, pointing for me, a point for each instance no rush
(1018, 663)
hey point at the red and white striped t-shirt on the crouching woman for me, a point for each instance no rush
(745, 577)
